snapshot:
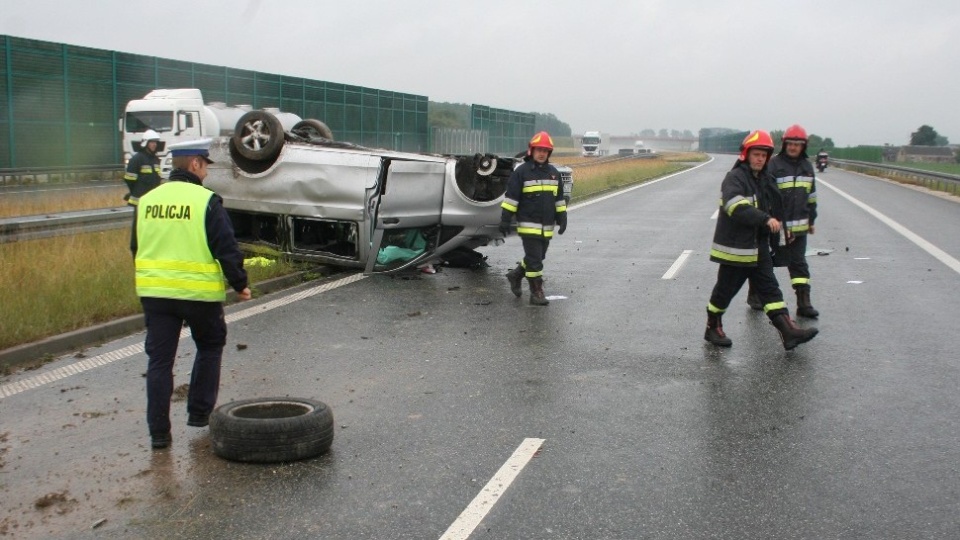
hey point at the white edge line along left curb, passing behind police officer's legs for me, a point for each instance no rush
(75, 368)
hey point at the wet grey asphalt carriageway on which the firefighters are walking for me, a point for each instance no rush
(434, 380)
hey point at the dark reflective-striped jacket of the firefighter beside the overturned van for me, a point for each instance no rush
(535, 195)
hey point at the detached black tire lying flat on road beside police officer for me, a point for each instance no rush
(268, 430)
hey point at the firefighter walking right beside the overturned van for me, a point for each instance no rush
(535, 195)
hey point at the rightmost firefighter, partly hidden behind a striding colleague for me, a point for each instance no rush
(797, 184)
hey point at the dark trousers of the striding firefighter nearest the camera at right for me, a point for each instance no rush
(762, 281)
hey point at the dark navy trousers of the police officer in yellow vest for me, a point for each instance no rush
(164, 319)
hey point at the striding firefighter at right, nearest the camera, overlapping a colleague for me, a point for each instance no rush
(749, 200)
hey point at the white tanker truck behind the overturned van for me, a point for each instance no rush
(179, 114)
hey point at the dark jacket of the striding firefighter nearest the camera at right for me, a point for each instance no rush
(746, 204)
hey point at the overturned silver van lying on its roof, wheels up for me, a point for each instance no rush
(316, 199)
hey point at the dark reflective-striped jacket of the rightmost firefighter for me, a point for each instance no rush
(798, 188)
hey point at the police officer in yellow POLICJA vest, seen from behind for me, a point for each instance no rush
(183, 246)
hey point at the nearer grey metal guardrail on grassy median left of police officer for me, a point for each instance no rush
(48, 225)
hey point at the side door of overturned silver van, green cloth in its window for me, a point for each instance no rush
(407, 217)
